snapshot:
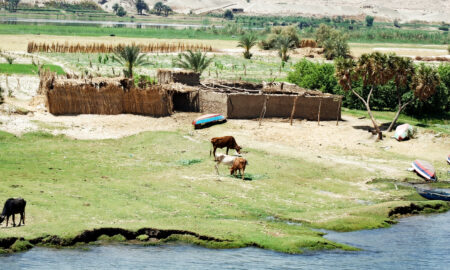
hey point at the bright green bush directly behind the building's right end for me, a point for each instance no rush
(314, 76)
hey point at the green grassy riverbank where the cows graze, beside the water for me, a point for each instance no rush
(166, 180)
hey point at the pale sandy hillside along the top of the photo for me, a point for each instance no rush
(403, 10)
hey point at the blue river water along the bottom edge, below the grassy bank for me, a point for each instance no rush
(419, 242)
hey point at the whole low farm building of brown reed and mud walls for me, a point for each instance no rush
(182, 91)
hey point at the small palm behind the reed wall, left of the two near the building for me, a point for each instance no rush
(130, 57)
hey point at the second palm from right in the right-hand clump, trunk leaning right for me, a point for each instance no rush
(402, 68)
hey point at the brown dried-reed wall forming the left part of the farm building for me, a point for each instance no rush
(106, 96)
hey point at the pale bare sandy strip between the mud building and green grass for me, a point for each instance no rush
(348, 143)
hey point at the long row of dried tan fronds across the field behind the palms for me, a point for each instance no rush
(158, 47)
